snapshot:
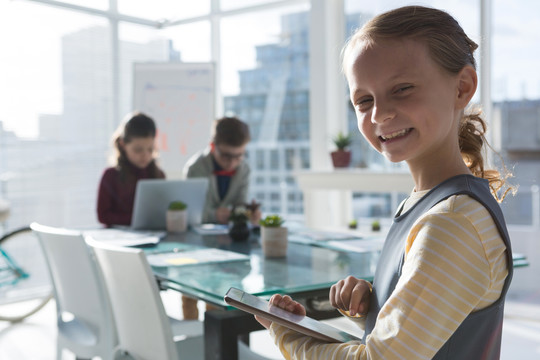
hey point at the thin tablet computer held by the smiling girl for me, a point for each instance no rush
(304, 324)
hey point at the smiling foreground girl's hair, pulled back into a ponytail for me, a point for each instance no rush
(451, 49)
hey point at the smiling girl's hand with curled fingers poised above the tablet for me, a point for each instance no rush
(352, 295)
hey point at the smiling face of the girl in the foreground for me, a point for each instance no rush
(404, 102)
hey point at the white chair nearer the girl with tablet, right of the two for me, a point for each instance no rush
(144, 329)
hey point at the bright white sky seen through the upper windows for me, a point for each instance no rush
(31, 69)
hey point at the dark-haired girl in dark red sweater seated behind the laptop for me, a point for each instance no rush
(134, 144)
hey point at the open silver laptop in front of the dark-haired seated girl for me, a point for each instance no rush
(153, 196)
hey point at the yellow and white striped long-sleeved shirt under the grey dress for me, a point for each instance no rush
(455, 264)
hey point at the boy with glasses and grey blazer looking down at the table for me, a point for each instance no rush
(224, 165)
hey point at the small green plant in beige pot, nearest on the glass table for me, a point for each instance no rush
(273, 236)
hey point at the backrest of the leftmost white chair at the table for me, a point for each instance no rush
(84, 317)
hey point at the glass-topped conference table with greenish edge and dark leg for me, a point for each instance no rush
(306, 273)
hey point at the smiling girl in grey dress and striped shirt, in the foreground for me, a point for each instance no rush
(446, 265)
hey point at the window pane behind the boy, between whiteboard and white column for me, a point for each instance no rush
(261, 79)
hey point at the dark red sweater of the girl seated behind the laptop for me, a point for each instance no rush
(116, 197)
